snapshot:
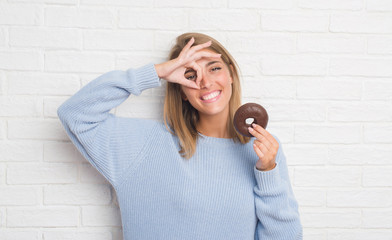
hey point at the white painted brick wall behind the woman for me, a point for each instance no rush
(321, 68)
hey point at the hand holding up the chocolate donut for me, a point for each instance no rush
(265, 146)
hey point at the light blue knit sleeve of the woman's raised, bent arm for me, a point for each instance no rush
(111, 144)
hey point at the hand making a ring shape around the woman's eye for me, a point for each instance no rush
(174, 70)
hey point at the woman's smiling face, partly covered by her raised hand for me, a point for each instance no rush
(215, 87)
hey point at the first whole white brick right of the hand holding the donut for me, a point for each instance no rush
(327, 133)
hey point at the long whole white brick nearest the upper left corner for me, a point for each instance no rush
(44, 37)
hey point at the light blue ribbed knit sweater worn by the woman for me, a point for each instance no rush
(217, 194)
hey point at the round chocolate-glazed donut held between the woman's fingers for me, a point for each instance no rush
(249, 110)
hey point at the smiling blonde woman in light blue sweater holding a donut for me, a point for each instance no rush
(192, 177)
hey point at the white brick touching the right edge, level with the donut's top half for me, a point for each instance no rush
(360, 112)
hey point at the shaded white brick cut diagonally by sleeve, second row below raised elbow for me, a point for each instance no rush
(61, 152)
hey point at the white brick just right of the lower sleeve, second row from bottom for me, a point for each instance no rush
(331, 218)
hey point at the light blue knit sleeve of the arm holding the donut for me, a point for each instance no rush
(276, 207)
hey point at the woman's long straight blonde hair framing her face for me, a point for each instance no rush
(180, 116)
